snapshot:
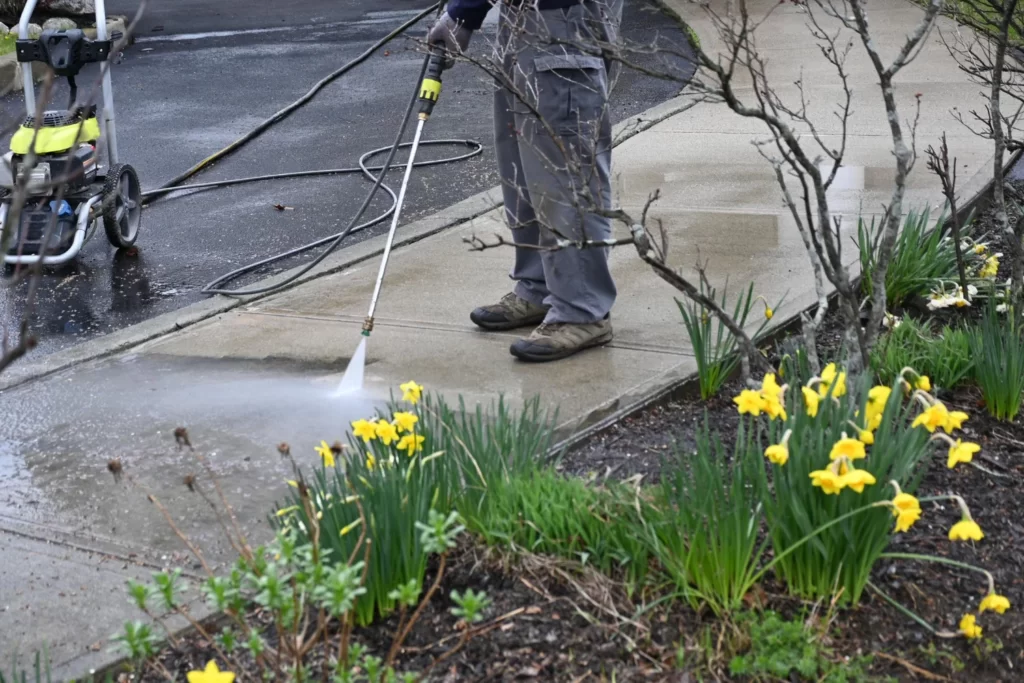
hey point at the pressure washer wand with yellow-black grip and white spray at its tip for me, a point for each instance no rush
(431, 91)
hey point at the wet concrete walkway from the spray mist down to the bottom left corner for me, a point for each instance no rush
(71, 535)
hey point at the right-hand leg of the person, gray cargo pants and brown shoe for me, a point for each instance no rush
(567, 159)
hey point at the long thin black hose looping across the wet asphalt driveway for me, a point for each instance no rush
(335, 241)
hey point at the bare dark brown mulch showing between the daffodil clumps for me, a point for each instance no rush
(552, 620)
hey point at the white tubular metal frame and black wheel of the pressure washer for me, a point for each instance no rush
(116, 187)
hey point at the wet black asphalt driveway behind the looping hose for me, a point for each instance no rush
(203, 74)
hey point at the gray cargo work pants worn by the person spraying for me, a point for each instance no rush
(553, 143)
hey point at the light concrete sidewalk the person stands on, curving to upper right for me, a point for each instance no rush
(259, 374)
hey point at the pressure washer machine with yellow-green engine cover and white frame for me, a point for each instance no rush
(58, 158)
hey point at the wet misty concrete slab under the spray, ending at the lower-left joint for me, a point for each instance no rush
(59, 437)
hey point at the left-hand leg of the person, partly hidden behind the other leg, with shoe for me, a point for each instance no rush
(525, 307)
